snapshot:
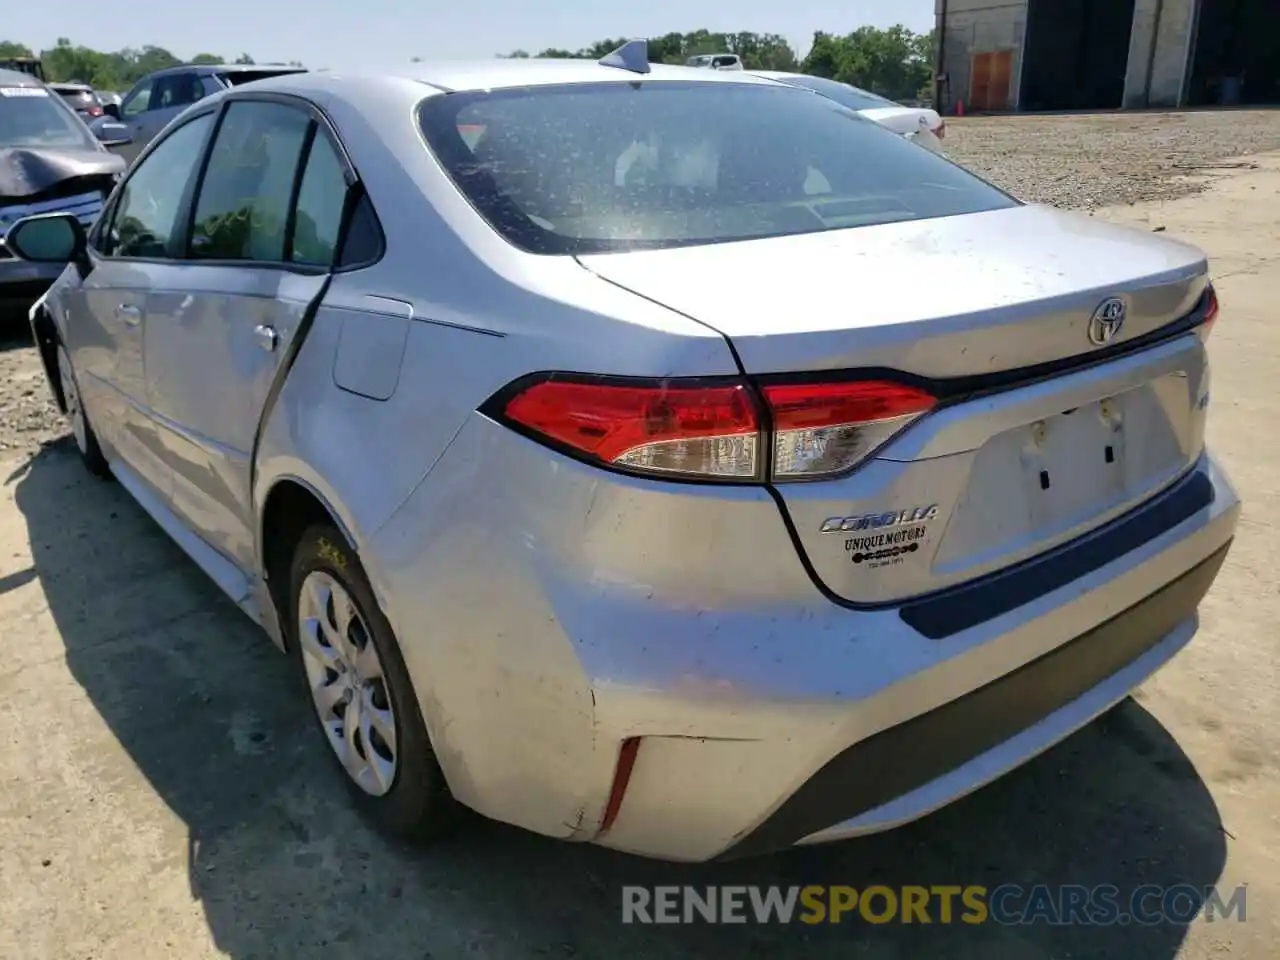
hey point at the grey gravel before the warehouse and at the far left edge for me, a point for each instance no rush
(1078, 162)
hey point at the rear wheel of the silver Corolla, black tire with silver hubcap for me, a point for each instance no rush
(413, 801)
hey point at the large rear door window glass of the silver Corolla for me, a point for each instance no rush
(244, 205)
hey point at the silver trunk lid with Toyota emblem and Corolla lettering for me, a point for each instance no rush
(1044, 435)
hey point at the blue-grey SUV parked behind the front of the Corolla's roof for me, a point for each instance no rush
(161, 97)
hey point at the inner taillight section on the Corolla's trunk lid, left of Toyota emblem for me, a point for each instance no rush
(826, 429)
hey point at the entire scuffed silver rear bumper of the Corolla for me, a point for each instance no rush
(543, 639)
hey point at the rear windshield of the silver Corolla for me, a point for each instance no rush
(612, 167)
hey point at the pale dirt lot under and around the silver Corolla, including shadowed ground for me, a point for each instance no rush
(162, 793)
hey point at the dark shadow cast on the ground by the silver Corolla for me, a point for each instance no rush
(213, 717)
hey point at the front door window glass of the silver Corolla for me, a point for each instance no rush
(149, 212)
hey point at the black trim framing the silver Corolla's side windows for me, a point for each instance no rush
(321, 125)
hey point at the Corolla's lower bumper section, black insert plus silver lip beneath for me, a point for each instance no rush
(948, 752)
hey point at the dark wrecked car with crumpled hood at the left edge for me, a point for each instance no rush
(52, 163)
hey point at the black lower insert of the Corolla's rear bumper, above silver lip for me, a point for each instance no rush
(907, 757)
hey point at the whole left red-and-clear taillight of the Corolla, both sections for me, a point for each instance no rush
(712, 431)
